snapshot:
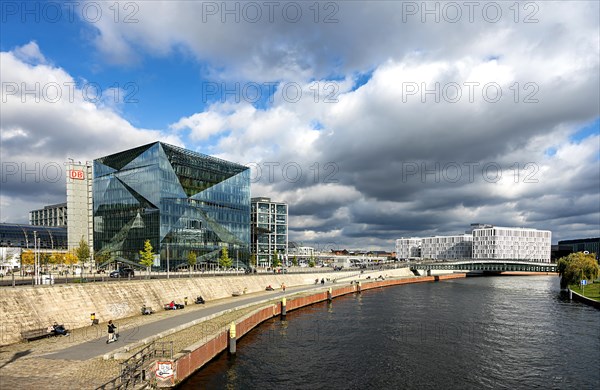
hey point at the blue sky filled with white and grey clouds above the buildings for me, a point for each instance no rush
(373, 120)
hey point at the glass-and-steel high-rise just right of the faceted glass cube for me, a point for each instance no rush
(269, 230)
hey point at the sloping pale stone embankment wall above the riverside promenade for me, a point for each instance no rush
(25, 308)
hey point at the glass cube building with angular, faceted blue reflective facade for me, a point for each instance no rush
(180, 200)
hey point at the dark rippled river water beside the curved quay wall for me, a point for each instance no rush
(474, 333)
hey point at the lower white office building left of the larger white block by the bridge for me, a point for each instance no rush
(447, 247)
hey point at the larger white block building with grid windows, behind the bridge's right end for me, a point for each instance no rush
(510, 243)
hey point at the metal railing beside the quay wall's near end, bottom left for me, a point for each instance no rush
(133, 369)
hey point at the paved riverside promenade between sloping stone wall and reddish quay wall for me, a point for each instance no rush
(83, 360)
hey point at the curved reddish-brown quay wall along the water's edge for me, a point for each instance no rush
(190, 359)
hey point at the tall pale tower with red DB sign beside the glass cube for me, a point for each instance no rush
(80, 204)
